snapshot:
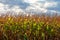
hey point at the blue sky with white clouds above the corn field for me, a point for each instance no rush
(30, 6)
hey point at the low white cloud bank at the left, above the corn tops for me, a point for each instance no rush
(4, 8)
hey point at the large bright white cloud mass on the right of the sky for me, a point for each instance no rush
(41, 6)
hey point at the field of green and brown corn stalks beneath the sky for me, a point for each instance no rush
(30, 28)
